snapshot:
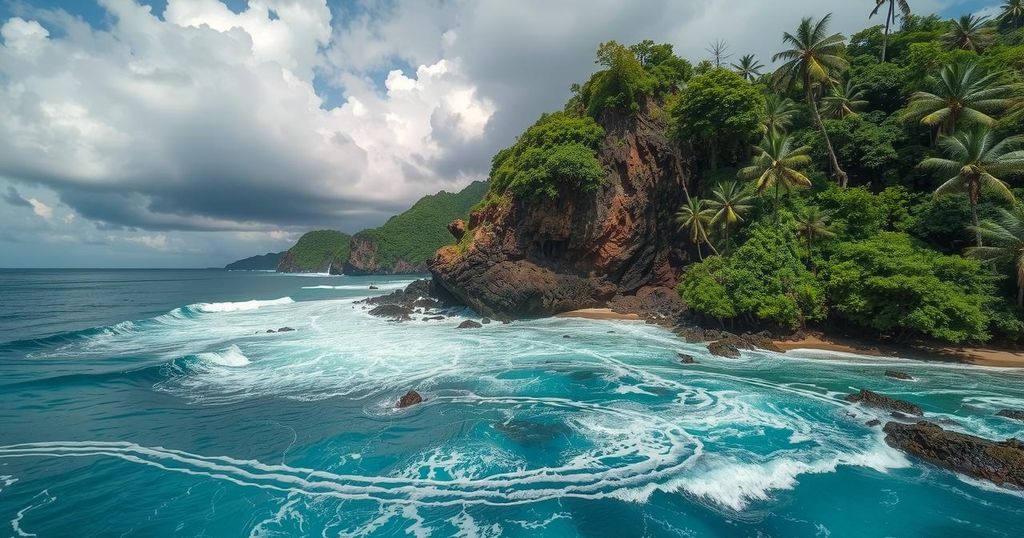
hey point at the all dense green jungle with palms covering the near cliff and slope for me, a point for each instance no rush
(855, 187)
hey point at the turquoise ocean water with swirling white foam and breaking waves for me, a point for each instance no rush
(153, 403)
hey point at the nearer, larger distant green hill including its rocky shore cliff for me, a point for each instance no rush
(408, 241)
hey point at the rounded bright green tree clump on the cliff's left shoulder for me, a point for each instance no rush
(559, 151)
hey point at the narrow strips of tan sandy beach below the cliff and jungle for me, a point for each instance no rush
(962, 355)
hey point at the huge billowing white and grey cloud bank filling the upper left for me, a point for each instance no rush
(207, 119)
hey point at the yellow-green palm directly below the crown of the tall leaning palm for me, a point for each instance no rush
(777, 165)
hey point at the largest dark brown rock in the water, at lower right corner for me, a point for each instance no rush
(1000, 463)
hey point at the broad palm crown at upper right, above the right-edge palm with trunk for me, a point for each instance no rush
(962, 93)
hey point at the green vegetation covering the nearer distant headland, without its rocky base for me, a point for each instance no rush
(416, 235)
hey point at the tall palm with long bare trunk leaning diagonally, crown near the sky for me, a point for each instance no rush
(815, 54)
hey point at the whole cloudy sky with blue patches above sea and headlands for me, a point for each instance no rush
(190, 134)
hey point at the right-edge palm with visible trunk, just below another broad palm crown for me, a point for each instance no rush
(975, 161)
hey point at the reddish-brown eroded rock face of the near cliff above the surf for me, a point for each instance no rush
(581, 250)
